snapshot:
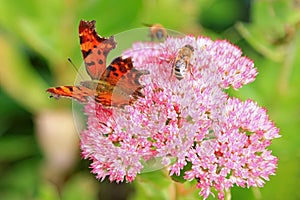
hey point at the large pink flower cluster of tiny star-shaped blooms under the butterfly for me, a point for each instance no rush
(190, 120)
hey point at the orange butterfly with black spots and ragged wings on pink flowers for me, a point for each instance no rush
(116, 85)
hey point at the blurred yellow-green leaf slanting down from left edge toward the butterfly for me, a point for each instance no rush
(19, 79)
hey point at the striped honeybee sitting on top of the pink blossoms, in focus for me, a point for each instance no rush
(182, 61)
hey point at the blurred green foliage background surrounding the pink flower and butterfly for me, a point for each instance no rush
(39, 149)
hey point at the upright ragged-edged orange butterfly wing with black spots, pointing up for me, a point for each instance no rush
(94, 48)
